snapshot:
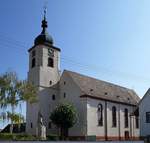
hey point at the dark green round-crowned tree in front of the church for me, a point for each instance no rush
(64, 117)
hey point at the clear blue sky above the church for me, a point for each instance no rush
(105, 39)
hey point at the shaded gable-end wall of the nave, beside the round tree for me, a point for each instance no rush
(73, 93)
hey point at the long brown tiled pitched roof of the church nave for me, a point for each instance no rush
(95, 88)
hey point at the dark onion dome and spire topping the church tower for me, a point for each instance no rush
(44, 37)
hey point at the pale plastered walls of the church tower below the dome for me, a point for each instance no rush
(40, 76)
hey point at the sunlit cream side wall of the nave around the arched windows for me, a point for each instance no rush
(92, 120)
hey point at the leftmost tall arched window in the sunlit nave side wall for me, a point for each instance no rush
(100, 114)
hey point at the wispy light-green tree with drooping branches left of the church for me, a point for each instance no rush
(13, 92)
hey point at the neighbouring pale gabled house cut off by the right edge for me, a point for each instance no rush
(144, 114)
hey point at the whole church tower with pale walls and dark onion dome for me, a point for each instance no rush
(44, 73)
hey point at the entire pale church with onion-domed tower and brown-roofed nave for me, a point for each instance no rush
(105, 110)
